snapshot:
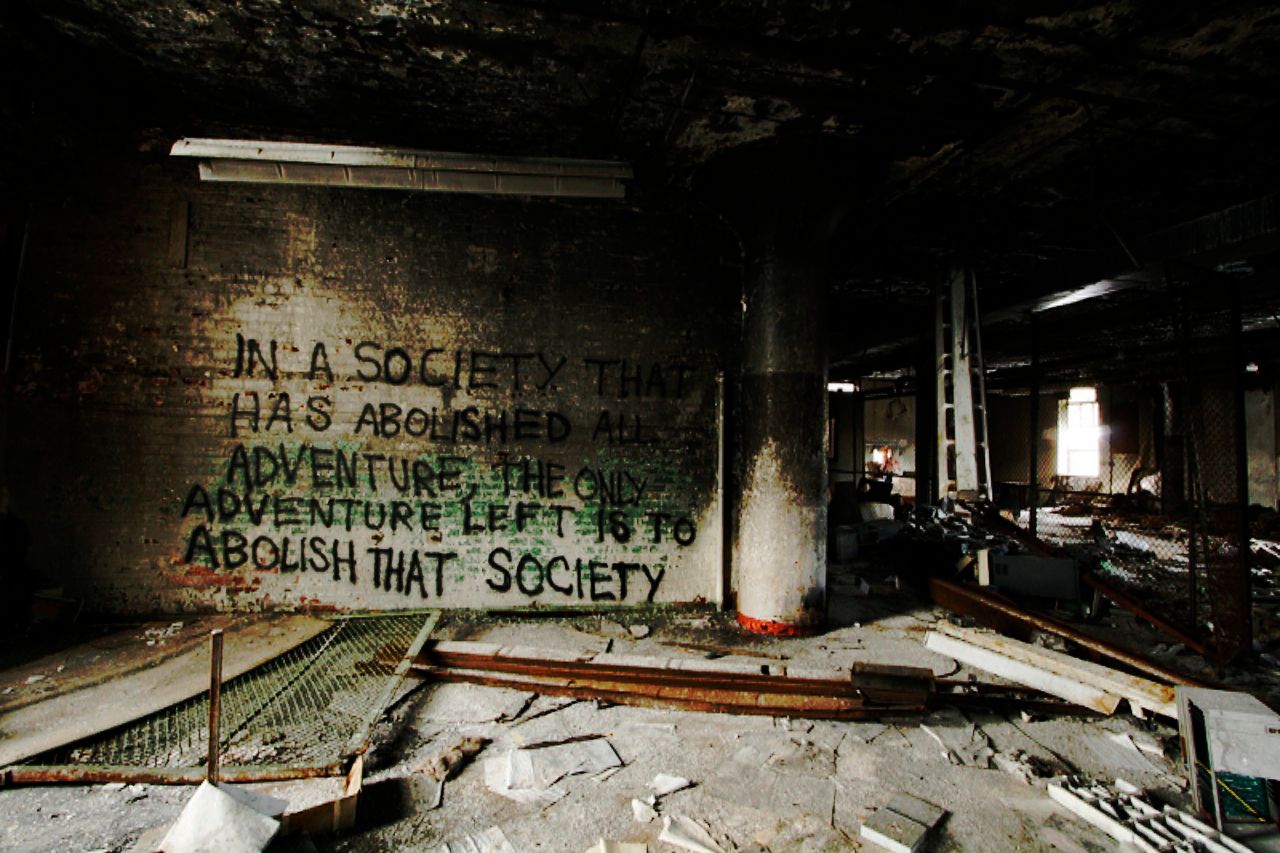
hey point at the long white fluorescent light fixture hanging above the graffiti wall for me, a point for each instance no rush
(346, 166)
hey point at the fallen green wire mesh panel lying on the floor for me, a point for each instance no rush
(312, 706)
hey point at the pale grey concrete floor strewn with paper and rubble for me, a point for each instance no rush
(593, 770)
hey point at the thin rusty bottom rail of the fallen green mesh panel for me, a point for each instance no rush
(98, 774)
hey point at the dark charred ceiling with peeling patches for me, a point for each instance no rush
(1040, 142)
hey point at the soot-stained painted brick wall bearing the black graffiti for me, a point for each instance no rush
(241, 398)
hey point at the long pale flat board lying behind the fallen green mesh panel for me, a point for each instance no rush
(57, 722)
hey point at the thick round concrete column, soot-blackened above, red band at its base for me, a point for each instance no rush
(781, 548)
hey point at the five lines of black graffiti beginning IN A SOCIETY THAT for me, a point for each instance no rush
(532, 473)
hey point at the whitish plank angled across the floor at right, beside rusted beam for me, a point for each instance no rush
(1142, 694)
